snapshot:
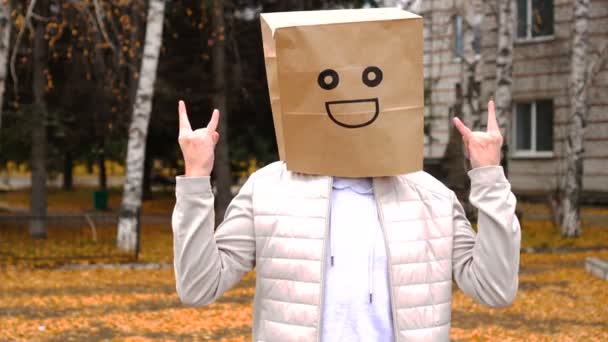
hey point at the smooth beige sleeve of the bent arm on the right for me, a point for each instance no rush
(486, 264)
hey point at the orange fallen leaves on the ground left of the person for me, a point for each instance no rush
(135, 305)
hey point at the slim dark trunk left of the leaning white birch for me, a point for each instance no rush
(38, 124)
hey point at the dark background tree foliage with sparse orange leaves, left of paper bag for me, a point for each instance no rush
(94, 50)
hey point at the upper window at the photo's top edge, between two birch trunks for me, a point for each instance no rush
(534, 18)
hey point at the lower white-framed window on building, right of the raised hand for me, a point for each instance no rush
(533, 128)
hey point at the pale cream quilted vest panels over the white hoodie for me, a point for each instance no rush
(291, 224)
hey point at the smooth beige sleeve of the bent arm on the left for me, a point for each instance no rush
(208, 263)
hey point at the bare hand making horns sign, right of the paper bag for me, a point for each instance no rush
(482, 148)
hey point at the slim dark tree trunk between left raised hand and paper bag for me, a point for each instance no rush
(222, 172)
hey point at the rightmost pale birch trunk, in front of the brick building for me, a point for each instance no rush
(570, 225)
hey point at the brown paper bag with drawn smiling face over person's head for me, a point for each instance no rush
(346, 89)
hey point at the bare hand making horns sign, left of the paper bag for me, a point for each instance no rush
(197, 146)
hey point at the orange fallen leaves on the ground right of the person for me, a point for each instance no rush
(557, 301)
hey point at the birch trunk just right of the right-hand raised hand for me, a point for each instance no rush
(504, 73)
